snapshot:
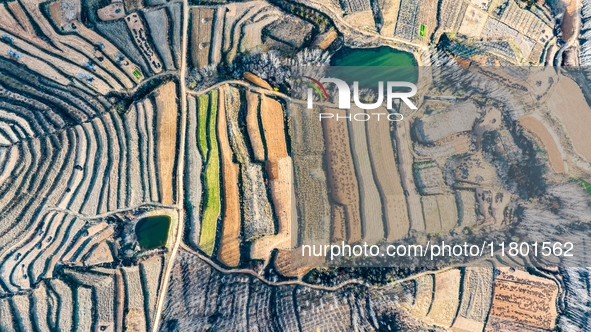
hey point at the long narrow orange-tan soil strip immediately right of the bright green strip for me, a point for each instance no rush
(229, 252)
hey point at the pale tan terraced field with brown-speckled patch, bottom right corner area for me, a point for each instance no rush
(461, 299)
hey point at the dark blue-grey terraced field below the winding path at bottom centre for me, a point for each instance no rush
(240, 302)
